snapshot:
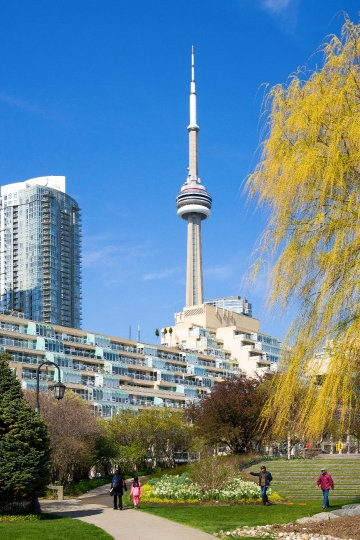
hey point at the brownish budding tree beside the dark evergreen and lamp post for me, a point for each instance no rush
(74, 434)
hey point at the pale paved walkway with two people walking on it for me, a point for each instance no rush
(126, 524)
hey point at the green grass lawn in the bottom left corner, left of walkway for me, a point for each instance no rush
(51, 529)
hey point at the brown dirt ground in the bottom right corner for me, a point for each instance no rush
(342, 527)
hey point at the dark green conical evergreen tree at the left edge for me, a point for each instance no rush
(24, 441)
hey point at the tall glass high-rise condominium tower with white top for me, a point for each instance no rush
(40, 251)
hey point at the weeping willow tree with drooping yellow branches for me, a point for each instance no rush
(308, 177)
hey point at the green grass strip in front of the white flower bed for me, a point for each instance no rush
(215, 518)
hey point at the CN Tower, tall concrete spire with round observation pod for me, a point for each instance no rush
(193, 205)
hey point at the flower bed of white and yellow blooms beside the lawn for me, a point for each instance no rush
(180, 489)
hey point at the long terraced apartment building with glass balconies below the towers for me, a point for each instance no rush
(110, 372)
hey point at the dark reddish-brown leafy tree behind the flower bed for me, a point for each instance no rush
(229, 415)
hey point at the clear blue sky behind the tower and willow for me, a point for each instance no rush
(98, 91)
